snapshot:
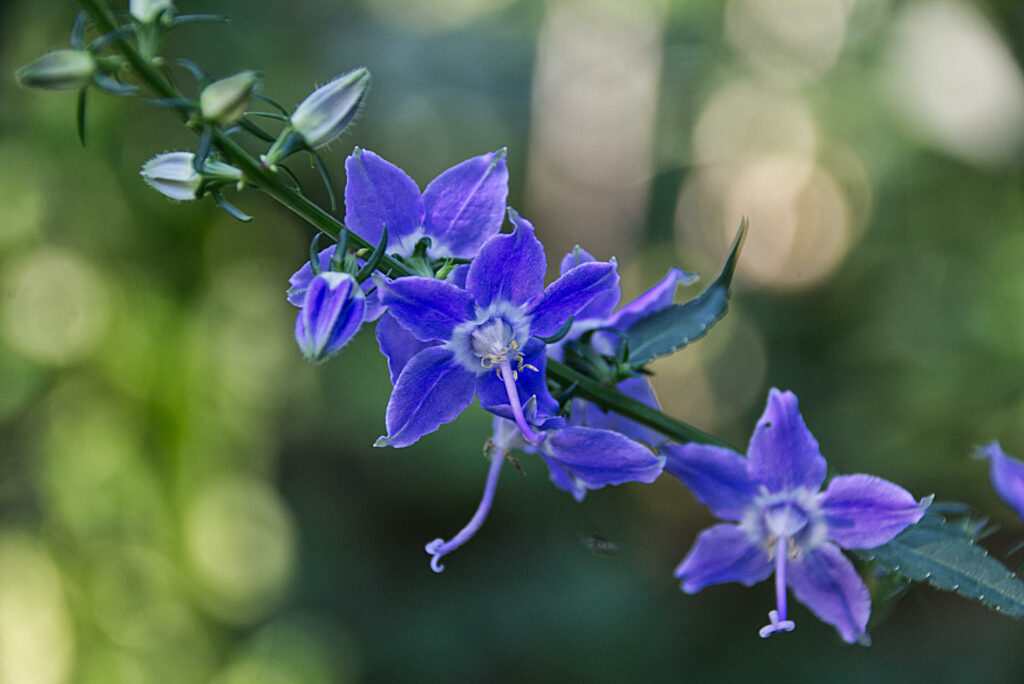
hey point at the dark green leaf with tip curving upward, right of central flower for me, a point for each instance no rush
(667, 330)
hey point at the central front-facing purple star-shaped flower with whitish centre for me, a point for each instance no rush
(487, 334)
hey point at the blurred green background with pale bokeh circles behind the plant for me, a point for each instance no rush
(183, 499)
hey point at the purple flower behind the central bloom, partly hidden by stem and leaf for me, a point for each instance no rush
(601, 316)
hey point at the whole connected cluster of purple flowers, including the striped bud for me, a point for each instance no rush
(485, 330)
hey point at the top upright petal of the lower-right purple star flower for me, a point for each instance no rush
(784, 455)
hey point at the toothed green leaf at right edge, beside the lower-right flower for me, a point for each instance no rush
(946, 557)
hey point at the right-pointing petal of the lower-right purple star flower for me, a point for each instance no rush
(864, 511)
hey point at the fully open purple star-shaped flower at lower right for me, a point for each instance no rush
(785, 524)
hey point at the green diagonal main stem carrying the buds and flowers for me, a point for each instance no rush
(604, 396)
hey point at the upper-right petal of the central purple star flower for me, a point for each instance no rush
(569, 295)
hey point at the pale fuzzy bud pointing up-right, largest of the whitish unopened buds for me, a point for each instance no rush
(326, 113)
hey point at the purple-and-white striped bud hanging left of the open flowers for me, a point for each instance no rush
(330, 316)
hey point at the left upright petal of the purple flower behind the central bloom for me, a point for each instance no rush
(378, 194)
